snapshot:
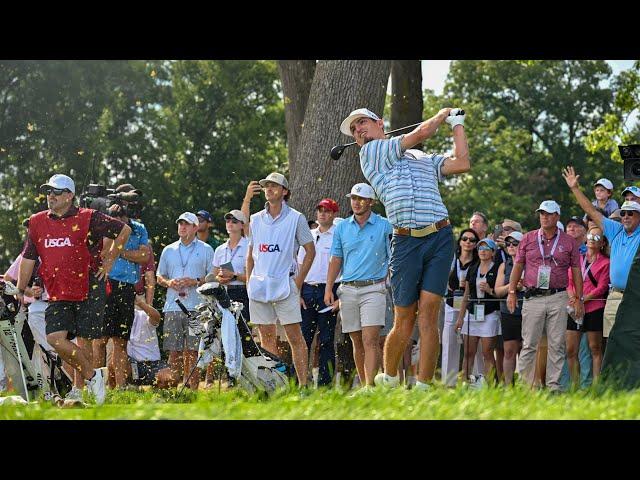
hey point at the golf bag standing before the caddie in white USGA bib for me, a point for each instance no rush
(254, 368)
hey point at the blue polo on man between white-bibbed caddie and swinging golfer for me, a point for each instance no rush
(365, 251)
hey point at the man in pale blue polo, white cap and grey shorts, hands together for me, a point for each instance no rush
(182, 268)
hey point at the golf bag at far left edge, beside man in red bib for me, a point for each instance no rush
(34, 371)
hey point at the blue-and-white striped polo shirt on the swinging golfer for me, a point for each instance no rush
(406, 182)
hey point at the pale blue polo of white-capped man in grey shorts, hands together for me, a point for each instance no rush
(179, 261)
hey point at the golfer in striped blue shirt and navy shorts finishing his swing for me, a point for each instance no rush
(406, 181)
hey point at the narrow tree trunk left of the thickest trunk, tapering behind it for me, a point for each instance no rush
(296, 76)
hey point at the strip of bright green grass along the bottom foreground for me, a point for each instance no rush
(438, 404)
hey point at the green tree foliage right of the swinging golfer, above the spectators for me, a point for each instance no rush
(526, 120)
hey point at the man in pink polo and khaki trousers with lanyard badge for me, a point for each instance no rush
(545, 255)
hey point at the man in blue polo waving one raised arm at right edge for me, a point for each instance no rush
(624, 239)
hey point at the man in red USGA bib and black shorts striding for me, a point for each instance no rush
(66, 238)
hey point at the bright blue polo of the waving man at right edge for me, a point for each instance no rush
(623, 249)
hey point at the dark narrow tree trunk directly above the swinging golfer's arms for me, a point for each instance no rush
(406, 93)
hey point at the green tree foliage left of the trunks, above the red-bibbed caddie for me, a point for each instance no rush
(190, 134)
